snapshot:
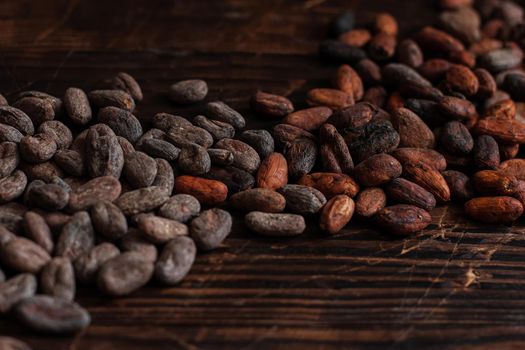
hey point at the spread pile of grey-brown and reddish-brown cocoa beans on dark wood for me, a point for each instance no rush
(93, 193)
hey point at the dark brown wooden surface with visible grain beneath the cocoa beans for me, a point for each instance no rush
(457, 285)
